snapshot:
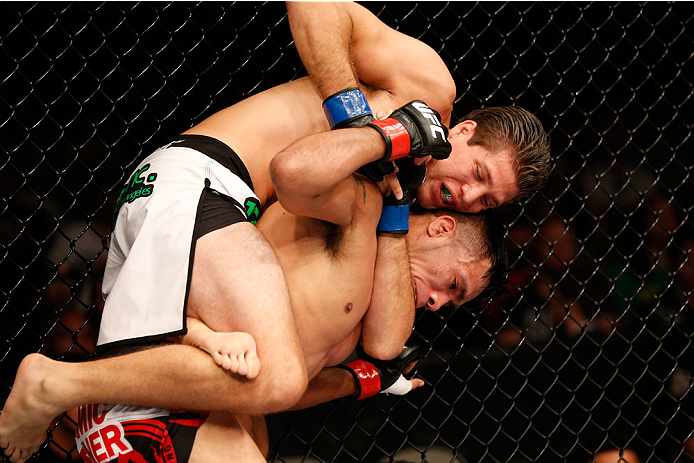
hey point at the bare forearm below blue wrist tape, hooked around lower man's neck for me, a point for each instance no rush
(388, 323)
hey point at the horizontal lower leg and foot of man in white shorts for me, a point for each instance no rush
(45, 388)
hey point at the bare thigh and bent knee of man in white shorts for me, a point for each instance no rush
(238, 285)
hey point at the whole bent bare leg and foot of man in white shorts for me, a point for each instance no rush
(237, 274)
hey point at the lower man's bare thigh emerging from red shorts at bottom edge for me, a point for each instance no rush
(223, 438)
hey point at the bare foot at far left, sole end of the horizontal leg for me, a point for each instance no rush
(27, 413)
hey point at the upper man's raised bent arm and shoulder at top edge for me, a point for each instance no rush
(342, 44)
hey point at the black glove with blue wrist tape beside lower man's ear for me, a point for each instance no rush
(395, 216)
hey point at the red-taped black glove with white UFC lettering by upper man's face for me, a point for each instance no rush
(414, 130)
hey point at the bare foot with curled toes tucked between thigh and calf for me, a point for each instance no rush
(235, 352)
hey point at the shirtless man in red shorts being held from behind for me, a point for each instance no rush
(323, 230)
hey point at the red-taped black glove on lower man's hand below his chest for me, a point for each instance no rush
(373, 375)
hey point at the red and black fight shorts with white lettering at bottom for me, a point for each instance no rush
(134, 434)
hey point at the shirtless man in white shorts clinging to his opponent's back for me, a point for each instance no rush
(233, 259)
